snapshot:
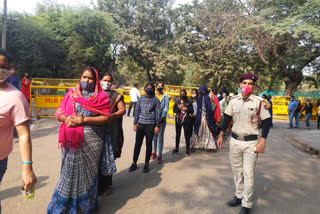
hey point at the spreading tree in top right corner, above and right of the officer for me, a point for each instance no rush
(286, 35)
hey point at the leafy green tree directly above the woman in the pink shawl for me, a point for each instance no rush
(86, 36)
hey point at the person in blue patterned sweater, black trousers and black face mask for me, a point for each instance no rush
(146, 124)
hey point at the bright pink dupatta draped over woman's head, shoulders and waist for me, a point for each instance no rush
(98, 103)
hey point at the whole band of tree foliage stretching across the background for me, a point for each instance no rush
(208, 42)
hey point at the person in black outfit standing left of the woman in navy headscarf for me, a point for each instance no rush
(182, 108)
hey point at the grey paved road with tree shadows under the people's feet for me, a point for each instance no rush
(287, 180)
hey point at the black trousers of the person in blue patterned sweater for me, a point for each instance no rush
(143, 130)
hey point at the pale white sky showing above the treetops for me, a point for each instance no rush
(29, 5)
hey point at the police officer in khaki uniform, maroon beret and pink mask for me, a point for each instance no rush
(247, 112)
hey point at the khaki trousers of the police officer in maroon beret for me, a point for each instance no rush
(243, 161)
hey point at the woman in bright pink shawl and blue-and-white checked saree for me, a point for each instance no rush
(82, 136)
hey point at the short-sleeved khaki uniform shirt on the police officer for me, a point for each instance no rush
(245, 114)
